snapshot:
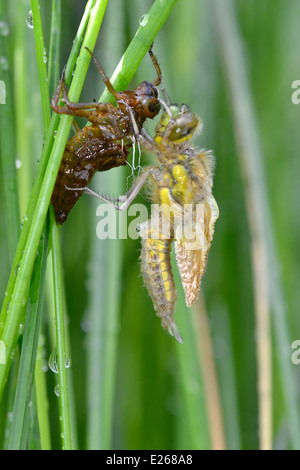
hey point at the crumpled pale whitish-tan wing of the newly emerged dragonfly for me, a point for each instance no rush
(191, 256)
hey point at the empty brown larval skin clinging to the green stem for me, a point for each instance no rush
(106, 142)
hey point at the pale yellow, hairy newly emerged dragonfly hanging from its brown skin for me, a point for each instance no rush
(180, 186)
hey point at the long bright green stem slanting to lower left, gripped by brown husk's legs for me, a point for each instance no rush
(23, 279)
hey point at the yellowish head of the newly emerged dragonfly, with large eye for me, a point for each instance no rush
(177, 123)
